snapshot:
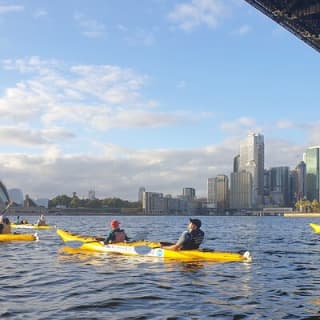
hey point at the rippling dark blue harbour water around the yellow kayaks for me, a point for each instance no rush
(43, 280)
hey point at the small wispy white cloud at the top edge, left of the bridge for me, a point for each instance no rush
(190, 15)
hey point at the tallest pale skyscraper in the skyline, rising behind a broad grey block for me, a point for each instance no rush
(252, 161)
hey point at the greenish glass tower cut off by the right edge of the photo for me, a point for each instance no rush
(312, 160)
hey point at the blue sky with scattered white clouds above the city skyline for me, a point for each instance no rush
(113, 95)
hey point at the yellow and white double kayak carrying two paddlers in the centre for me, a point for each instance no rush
(148, 249)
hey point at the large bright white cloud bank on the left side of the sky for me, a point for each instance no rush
(93, 97)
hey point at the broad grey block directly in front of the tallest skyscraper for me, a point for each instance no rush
(240, 190)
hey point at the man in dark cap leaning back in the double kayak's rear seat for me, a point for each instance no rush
(189, 239)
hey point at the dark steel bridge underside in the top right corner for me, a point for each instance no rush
(301, 17)
